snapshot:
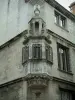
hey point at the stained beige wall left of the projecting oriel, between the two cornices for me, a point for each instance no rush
(11, 61)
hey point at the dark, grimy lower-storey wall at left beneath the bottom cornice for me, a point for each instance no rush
(16, 91)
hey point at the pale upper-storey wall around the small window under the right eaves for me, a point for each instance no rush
(68, 33)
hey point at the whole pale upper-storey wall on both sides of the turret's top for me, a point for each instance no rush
(15, 15)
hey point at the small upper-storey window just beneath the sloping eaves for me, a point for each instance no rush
(60, 20)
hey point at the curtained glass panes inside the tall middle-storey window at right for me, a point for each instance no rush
(63, 58)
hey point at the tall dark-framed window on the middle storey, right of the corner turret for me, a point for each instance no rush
(67, 67)
